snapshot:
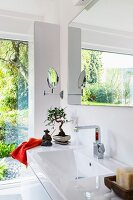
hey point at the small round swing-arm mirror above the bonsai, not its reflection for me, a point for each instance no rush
(53, 78)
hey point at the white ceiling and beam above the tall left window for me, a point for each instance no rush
(17, 16)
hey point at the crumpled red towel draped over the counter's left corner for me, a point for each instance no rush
(20, 152)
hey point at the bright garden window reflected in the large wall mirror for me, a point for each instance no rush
(109, 78)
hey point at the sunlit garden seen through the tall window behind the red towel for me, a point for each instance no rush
(13, 103)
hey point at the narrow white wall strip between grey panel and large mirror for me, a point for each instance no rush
(67, 13)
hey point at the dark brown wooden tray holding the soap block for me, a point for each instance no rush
(110, 182)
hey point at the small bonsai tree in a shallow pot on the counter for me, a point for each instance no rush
(58, 115)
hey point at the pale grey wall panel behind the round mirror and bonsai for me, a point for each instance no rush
(46, 54)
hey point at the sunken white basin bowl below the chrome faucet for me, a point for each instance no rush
(71, 164)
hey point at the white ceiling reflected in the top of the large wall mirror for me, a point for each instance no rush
(113, 14)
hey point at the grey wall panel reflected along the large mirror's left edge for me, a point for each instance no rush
(74, 59)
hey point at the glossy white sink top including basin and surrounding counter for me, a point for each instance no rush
(57, 163)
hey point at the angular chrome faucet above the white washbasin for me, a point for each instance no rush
(98, 147)
